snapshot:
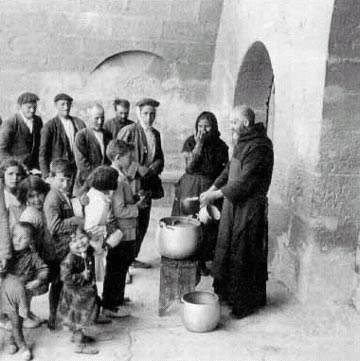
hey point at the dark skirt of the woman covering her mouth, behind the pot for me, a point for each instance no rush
(192, 185)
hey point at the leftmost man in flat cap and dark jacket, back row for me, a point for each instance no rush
(20, 135)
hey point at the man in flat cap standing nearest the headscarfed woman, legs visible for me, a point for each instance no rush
(148, 161)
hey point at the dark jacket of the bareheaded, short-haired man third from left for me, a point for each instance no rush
(88, 155)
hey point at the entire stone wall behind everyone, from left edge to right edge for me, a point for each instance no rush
(96, 50)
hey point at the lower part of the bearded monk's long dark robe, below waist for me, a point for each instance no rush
(240, 263)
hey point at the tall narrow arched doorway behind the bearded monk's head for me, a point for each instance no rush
(255, 85)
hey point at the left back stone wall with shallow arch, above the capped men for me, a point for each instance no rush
(96, 50)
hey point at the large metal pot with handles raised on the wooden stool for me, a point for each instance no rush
(178, 237)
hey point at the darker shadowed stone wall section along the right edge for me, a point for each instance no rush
(338, 191)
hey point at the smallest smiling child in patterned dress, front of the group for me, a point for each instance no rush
(79, 302)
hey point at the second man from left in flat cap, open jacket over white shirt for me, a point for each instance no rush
(58, 134)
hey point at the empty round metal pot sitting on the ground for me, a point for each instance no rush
(200, 311)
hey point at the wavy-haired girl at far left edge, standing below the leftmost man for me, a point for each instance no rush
(13, 172)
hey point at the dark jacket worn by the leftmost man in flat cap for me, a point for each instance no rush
(17, 141)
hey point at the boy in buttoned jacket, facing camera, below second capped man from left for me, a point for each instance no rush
(61, 223)
